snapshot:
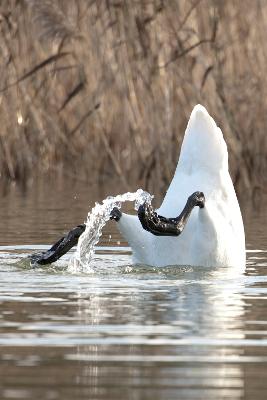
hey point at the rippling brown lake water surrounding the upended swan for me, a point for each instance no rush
(124, 332)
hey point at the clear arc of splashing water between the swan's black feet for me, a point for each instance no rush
(96, 220)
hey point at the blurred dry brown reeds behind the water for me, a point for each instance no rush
(102, 90)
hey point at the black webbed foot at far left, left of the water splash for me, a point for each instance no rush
(61, 247)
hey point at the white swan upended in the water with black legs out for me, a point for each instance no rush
(209, 229)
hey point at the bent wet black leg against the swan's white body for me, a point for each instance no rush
(162, 226)
